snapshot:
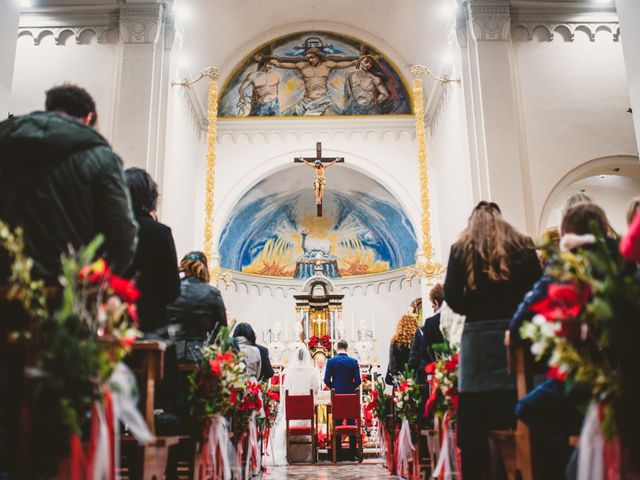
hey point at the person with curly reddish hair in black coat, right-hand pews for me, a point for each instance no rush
(421, 353)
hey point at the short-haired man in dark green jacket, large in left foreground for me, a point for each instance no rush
(63, 184)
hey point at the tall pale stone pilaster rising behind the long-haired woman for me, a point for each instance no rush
(499, 159)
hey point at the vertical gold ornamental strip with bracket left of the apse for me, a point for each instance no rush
(213, 74)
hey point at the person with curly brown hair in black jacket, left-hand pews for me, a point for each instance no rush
(198, 312)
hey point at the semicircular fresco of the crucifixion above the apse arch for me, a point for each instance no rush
(314, 74)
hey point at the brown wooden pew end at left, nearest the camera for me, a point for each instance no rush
(147, 362)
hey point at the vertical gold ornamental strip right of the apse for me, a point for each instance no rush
(427, 269)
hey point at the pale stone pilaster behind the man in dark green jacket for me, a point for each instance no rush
(136, 121)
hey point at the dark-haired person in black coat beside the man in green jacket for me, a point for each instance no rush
(155, 265)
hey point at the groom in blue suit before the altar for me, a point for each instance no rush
(343, 374)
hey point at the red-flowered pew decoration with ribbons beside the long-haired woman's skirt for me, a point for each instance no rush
(442, 405)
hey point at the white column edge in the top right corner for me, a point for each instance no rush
(628, 17)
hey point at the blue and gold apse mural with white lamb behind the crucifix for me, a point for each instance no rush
(273, 229)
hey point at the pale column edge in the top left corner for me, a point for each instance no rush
(8, 40)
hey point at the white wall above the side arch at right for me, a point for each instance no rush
(573, 97)
